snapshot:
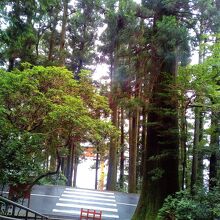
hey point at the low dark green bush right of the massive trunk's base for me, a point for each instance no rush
(204, 205)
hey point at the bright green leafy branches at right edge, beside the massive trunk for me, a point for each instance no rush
(202, 80)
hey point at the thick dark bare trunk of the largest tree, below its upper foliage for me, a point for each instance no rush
(161, 162)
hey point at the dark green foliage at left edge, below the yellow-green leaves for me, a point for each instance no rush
(20, 156)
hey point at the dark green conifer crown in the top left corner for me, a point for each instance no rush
(19, 36)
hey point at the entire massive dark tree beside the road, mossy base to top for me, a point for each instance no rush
(160, 177)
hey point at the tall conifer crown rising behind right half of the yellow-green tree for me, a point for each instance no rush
(82, 31)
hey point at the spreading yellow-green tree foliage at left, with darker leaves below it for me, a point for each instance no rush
(40, 109)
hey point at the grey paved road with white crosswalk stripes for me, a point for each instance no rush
(66, 201)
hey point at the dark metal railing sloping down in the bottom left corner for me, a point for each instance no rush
(12, 210)
